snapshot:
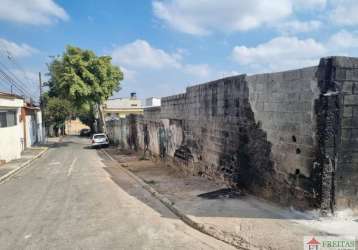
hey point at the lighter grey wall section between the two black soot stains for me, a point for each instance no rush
(283, 103)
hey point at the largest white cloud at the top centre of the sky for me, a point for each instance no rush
(201, 17)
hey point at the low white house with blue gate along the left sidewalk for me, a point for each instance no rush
(20, 126)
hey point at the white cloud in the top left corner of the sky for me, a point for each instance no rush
(36, 12)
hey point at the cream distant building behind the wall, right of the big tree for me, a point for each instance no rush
(121, 107)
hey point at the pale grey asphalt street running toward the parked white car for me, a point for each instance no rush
(67, 200)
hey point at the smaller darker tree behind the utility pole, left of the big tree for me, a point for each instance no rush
(56, 112)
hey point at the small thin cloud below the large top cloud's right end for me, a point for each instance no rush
(295, 26)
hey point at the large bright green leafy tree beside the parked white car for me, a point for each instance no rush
(84, 79)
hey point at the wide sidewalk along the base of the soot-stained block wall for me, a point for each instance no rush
(241, 220)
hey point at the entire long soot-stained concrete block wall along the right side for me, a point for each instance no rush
(290, 137)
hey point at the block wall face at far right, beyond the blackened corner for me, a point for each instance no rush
(345, 76)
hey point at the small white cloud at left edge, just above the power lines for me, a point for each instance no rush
(17, 50)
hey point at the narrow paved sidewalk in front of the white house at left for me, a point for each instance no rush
(27, 156)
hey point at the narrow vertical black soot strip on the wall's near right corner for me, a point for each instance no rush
(327, 109)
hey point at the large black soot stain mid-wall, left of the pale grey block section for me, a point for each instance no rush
(245, 158)
